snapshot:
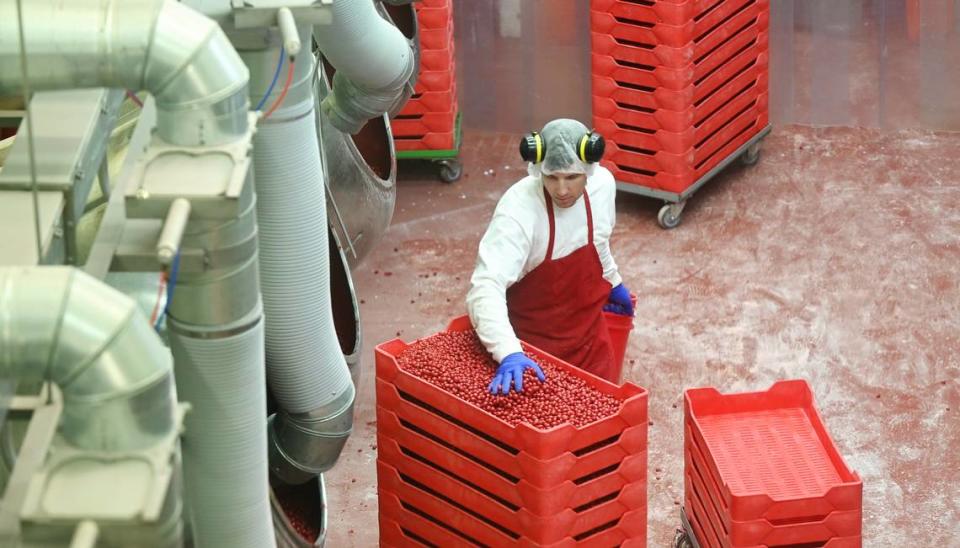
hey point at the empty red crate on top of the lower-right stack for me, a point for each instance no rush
(793, 464)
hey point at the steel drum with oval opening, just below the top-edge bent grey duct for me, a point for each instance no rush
(361, 178)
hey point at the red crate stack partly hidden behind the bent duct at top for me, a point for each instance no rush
(428, 120)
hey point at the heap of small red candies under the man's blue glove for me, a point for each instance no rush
(458, 363)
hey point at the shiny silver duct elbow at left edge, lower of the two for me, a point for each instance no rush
(61, 325)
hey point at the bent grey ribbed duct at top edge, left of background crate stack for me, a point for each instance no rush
(374, 62)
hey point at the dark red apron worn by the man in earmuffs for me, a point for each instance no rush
(558, 306)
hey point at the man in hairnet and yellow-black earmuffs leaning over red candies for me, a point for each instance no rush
(544, 271)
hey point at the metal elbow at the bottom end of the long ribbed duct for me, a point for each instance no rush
(303, 445)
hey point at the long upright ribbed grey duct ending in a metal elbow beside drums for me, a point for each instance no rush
(305, 367)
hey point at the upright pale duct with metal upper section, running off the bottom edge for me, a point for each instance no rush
(215, 327)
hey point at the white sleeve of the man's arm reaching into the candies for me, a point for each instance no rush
(503, 252)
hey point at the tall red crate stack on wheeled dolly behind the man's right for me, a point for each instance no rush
(678, 85)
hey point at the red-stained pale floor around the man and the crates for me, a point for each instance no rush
(834, 260)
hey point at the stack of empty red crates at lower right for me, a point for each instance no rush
(761, 470)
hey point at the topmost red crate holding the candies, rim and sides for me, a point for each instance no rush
(541, 444)
